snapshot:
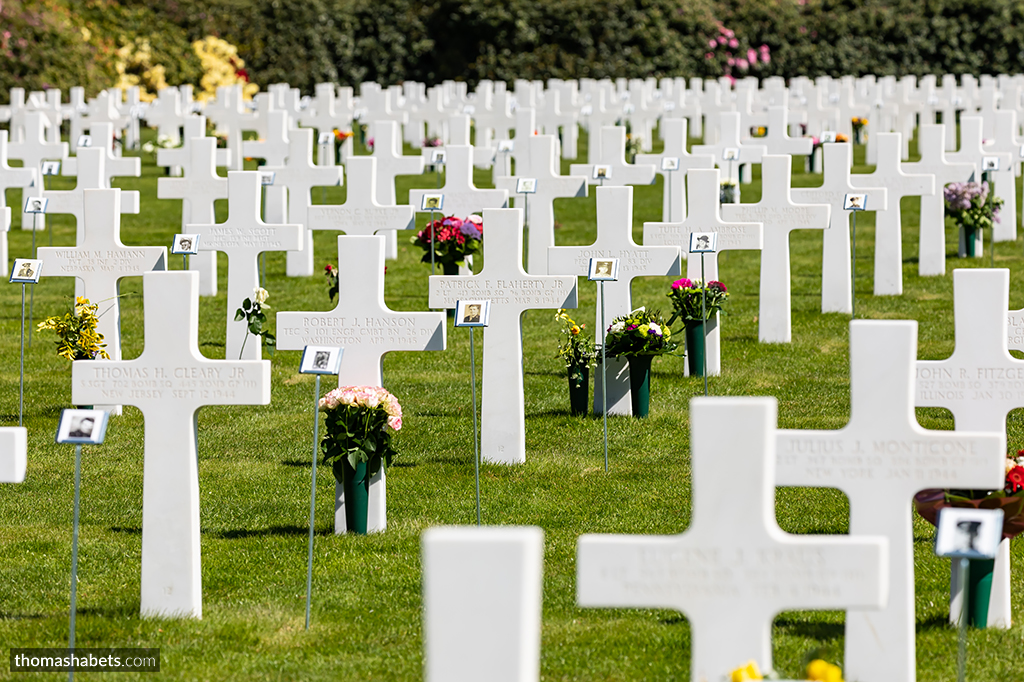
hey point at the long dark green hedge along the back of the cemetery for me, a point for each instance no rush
(305, 42)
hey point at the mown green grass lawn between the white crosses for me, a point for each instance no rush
(255, 466)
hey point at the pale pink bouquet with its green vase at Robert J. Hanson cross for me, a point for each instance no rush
(358, 445)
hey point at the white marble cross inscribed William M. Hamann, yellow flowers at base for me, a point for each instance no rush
(100, 261)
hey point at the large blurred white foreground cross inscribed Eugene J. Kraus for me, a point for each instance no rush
(734, 570)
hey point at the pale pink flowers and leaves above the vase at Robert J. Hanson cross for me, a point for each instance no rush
(360, 422)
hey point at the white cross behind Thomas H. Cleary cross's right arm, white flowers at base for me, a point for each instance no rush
(244, 237)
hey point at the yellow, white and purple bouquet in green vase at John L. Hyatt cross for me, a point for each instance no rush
(639, 336)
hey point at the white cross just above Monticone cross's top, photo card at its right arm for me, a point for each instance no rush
(837, 290)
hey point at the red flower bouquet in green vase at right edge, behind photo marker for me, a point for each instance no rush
(1010, 499)
